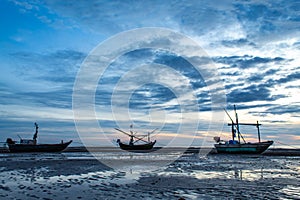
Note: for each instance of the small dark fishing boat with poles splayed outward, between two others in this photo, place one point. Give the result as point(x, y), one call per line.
point(134, 138)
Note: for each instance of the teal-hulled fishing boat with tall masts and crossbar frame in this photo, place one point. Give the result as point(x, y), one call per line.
point(237, 146)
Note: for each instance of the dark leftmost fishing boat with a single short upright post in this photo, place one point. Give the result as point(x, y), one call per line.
point(28, 145)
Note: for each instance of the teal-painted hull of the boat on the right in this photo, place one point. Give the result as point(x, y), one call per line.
point(247, 148)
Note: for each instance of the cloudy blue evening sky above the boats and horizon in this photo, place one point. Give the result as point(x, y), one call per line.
point(252, 49)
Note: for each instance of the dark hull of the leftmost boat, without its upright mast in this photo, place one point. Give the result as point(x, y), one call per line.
point(22, 148)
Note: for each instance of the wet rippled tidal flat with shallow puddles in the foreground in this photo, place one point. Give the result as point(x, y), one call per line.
point(79, 175)
